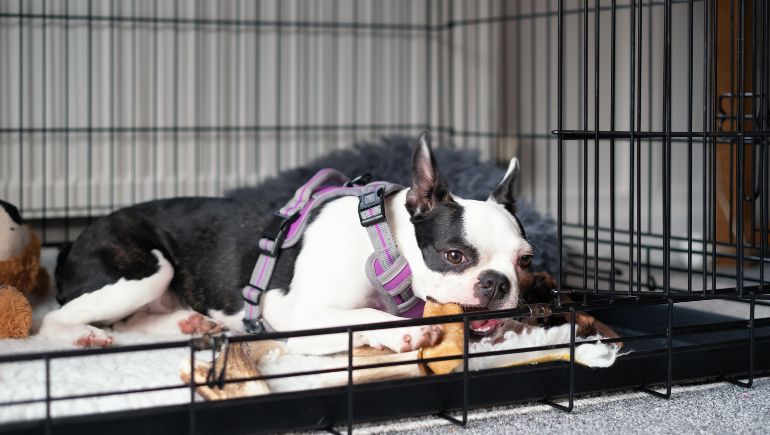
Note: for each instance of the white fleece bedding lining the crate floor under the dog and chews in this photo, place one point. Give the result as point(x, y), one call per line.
point(126, 371)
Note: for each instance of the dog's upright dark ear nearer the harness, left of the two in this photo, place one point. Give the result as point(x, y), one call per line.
point(428, 187)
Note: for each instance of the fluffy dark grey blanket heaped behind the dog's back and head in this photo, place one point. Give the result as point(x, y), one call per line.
point(389, 159)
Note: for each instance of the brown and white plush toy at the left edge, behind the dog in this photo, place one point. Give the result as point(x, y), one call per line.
point(20, 273)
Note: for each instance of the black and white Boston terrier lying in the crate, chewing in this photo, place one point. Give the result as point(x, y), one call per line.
point(166, 264)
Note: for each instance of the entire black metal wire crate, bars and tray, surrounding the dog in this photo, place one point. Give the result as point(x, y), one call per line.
point(644, 126)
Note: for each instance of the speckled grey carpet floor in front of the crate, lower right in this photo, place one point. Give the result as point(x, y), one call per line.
point(719, 408)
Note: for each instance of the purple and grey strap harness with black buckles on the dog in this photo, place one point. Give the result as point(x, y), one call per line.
point(386, 268)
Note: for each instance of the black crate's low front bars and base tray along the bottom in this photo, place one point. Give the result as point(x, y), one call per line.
point(671, 352)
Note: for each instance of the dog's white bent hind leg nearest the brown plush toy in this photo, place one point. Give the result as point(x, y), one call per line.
point(107, 305)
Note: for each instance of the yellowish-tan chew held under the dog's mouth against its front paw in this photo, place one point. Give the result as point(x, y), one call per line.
point(451, 344)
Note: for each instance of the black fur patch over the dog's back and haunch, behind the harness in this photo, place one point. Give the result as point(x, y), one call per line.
point(210, 242)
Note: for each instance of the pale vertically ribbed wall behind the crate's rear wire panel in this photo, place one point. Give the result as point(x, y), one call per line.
point(75, 74)
